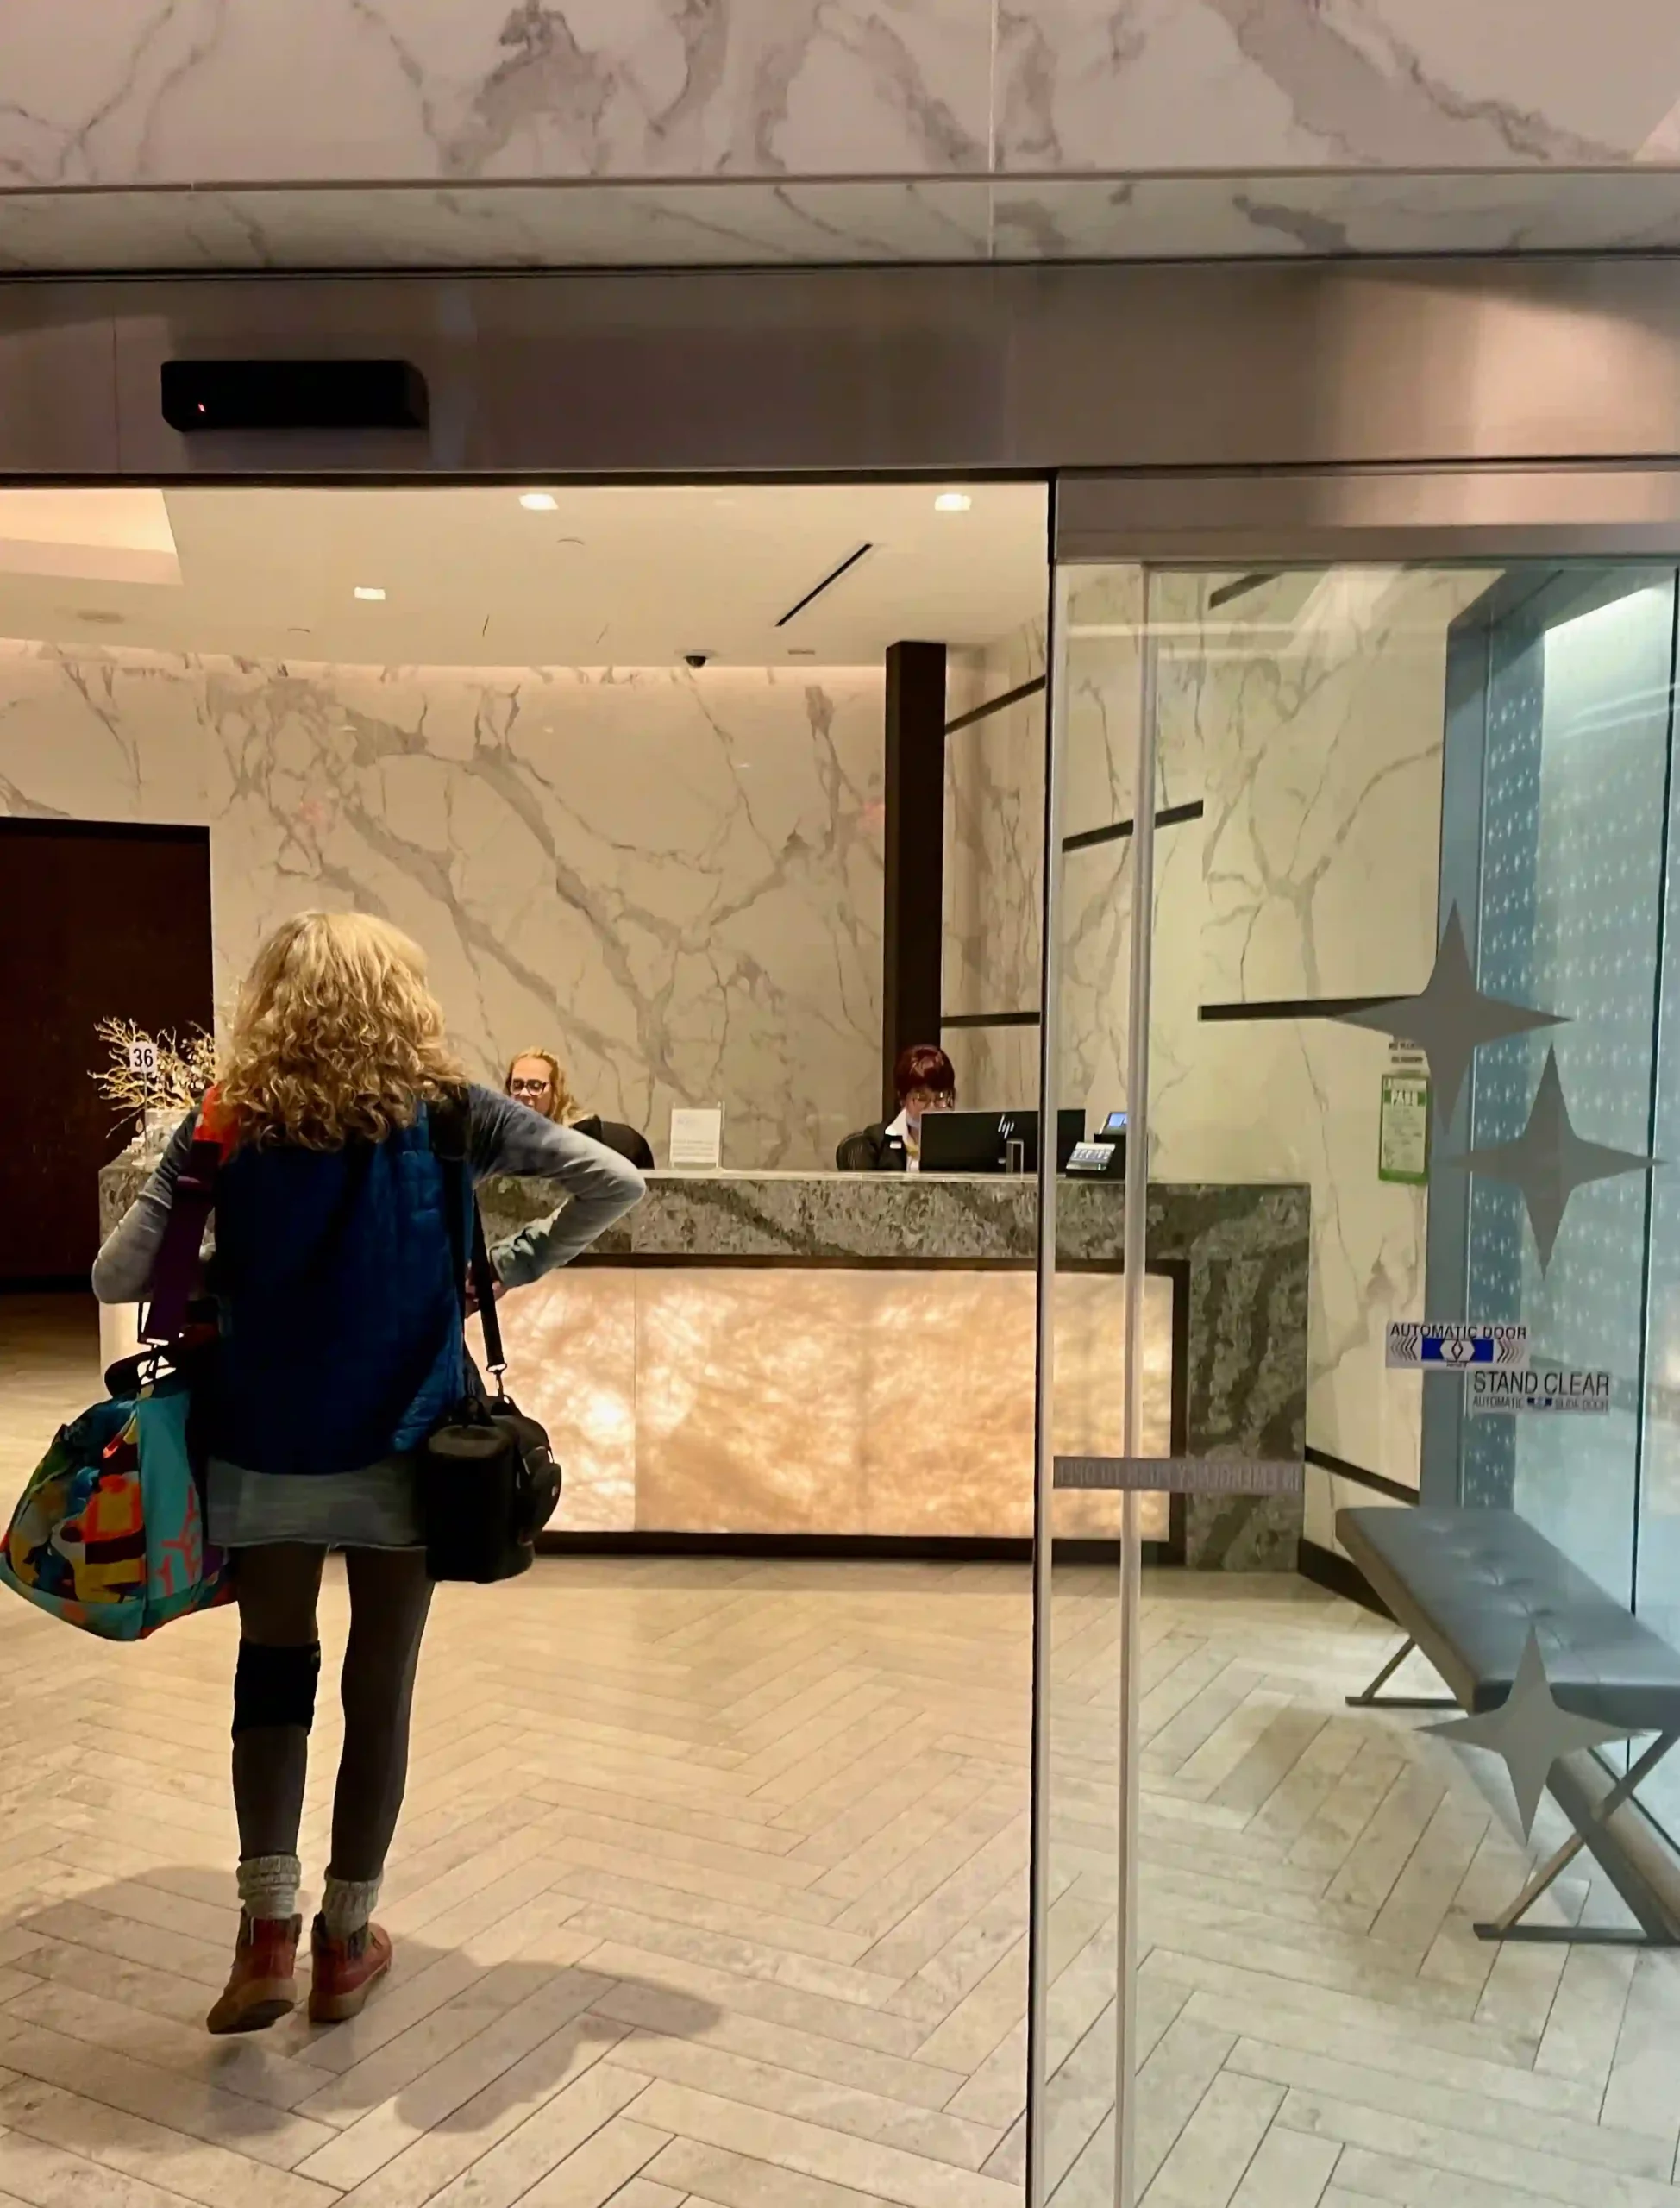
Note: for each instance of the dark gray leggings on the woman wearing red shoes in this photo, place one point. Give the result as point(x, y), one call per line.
point(277, 1591)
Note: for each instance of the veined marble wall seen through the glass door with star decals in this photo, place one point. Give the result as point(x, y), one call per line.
point(1321, 734)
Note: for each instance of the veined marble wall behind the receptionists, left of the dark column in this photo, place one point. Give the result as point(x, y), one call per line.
point(672, 878)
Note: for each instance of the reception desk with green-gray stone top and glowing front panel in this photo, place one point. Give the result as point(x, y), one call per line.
point(851, 1357)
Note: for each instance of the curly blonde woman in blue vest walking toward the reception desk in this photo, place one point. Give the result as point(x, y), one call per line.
point(339, 1352)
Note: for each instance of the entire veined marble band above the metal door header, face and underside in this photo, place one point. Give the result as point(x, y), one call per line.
point(1178, 112)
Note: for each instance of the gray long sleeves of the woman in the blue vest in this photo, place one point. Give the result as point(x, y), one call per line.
point(502, 1138)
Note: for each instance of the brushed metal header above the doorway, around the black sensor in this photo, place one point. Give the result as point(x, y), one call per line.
point(866, 370)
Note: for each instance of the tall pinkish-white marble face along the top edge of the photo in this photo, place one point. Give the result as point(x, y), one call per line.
point(343, 92)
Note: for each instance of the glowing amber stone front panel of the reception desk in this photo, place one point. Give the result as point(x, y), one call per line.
point(829, 1399)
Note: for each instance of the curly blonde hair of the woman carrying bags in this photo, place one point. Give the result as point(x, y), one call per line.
point(337, 1034)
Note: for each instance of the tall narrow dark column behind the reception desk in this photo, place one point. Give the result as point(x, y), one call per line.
point(913, 922)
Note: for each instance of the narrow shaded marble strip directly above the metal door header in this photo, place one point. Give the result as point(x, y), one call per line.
point(743, 222)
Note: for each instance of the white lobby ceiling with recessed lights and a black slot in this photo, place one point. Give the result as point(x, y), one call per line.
point(632, 577)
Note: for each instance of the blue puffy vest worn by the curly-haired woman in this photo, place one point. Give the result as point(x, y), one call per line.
point(341, 1317)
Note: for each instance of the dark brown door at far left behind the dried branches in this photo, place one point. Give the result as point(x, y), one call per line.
point(96, 922)
